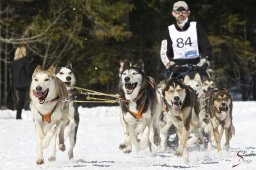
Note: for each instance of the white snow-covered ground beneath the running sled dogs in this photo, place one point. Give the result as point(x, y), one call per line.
point(100, 133)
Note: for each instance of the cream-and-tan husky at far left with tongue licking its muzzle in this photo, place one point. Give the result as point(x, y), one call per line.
point(49, 112)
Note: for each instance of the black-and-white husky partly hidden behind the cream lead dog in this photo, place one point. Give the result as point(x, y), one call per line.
point(66, 75)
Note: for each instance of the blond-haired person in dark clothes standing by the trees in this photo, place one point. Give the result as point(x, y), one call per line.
point(22, 73)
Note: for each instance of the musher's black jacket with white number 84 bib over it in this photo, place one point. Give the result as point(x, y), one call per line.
point(186, 45)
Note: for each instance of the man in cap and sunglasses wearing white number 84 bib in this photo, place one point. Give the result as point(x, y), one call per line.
point(185, 42)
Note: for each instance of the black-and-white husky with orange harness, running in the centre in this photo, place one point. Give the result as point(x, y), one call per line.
point(140, 107)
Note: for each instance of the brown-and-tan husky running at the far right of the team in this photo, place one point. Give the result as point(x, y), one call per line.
point(219, 106)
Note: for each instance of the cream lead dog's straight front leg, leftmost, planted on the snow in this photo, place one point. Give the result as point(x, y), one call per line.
point(40, 135)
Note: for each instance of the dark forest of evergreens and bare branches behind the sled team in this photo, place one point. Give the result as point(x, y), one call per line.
point(94, 35)
